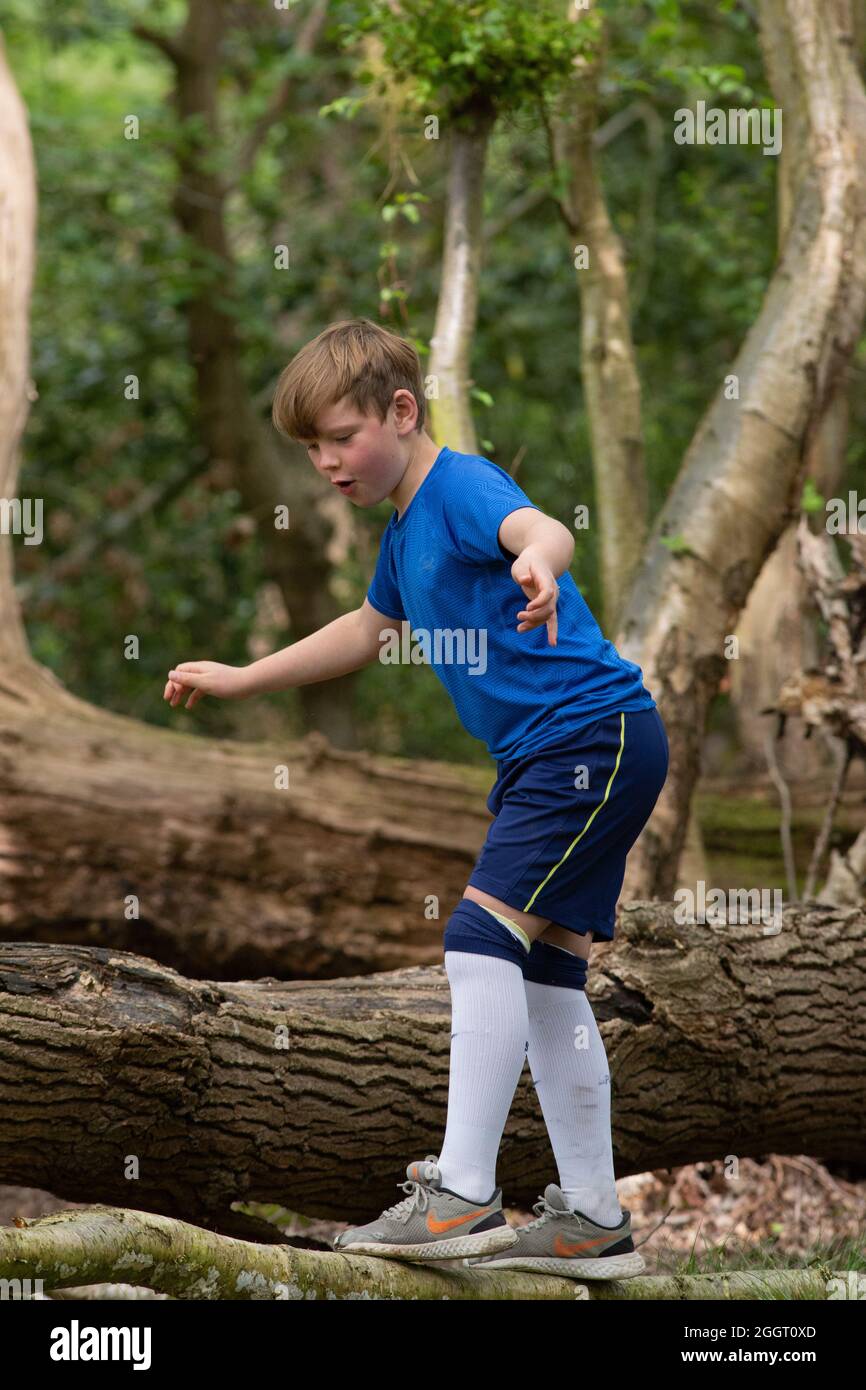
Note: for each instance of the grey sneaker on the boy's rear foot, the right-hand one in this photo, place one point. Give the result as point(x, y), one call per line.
point(565, 1242)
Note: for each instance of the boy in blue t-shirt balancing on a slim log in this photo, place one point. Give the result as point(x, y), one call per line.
point(582, 758)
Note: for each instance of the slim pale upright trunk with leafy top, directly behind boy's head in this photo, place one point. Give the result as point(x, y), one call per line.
point(455, 326)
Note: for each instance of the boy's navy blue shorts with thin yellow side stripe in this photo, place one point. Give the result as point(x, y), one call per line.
point(566, 818)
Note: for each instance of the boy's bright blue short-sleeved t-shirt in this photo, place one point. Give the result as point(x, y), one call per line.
point(444, 575)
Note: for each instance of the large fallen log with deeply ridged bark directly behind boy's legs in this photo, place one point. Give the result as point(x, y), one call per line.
point(120, 1077)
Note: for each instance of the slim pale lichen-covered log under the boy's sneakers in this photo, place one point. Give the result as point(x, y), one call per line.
point(73, 1249)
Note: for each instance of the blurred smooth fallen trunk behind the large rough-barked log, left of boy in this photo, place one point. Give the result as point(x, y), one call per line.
point(183, 849)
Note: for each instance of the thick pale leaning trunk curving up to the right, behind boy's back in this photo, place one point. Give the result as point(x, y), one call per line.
point(743, 475)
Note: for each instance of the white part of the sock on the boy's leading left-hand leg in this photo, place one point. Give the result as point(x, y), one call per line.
point(489, 1042)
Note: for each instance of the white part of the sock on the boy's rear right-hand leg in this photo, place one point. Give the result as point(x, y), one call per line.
point(569, 1068)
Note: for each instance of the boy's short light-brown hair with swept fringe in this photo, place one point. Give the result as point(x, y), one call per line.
point(354, 358)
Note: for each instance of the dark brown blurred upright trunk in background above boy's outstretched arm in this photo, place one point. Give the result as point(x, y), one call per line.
point(266, 475)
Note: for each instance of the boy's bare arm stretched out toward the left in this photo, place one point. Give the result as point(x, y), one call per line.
point(344, 646)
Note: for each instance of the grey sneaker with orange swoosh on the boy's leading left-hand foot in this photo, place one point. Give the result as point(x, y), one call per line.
point(432, 1223)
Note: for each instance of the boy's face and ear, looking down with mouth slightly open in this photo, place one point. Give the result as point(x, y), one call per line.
point(365, 454)
